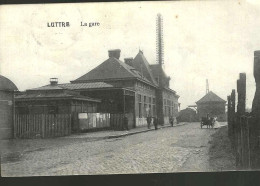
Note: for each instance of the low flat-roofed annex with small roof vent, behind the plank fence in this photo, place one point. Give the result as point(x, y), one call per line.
point(55, 99)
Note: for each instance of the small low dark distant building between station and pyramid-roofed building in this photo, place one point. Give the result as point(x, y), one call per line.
point(188, 115)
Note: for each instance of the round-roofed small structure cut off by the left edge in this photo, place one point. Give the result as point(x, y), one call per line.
point(7, 89)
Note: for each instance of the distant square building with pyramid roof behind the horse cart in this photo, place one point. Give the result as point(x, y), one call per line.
point(213, 105)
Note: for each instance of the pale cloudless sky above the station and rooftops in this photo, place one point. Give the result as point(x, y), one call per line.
point(212, 40)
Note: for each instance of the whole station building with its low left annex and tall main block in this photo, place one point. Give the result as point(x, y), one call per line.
point(133, 87)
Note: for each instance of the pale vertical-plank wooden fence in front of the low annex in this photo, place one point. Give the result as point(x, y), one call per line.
point(42, 125)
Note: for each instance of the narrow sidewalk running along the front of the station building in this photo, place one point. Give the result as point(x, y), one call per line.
point(116, 134)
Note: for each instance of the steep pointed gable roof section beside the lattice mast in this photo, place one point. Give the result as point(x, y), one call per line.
point(141, 64)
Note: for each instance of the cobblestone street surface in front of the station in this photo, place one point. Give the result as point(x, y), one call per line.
point(182, 148)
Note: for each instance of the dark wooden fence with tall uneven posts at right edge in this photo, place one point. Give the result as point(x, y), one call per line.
point(244, 128)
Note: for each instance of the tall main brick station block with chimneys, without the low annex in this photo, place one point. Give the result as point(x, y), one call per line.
point(137, 88)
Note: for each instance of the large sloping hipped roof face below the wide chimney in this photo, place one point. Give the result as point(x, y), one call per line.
point(112, 68)
